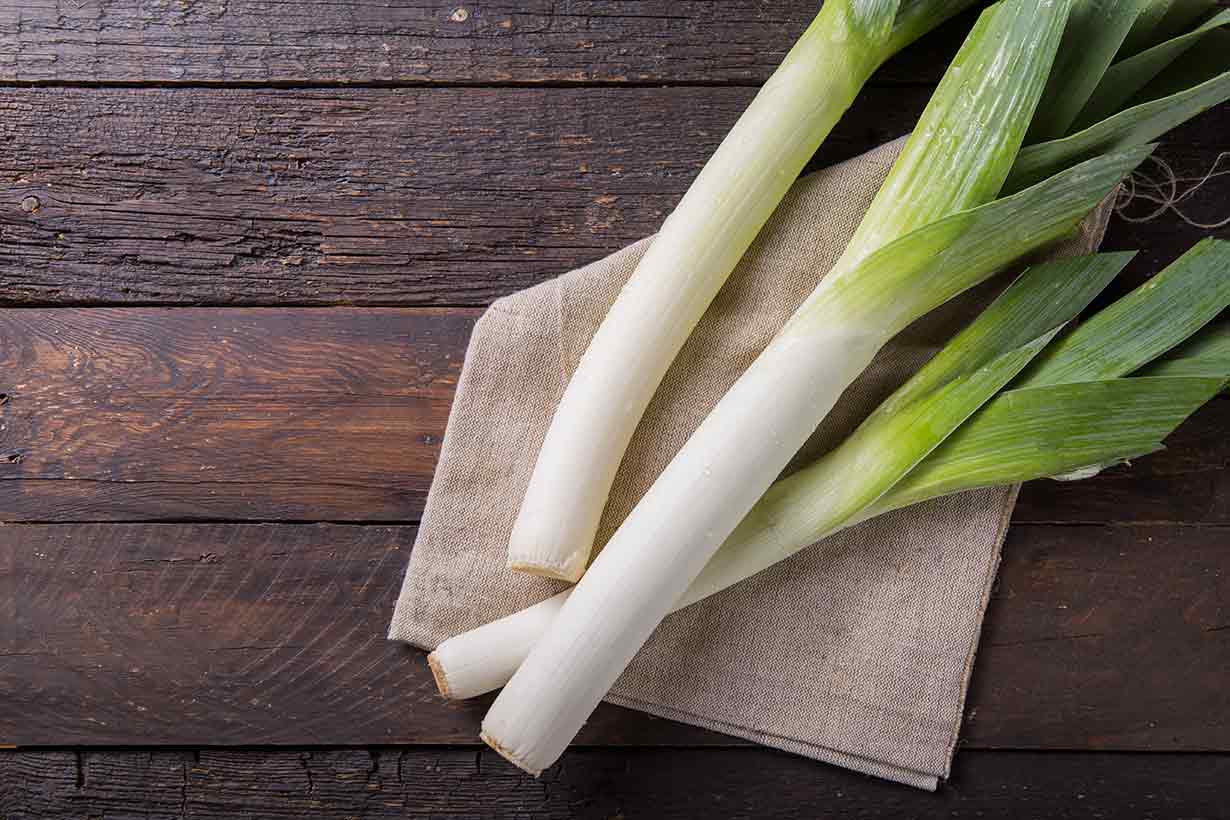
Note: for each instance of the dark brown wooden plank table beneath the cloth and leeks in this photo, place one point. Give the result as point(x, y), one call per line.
point(242, 249)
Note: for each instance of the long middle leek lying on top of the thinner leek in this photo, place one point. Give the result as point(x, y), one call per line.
point(956, 159)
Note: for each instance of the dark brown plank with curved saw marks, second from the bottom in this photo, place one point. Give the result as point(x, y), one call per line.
point(1104, 637)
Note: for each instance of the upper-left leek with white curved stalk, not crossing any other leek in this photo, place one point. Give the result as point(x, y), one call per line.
point(688, 262)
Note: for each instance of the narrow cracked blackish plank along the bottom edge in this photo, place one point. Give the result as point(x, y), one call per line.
point(595, 785)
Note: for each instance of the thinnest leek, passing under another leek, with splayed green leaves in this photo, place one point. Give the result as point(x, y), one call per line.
point(1072, 412)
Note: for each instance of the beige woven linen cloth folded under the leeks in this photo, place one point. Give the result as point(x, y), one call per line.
point(855, 652)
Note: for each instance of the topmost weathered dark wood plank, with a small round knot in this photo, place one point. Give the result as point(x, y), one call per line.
point(468, 41)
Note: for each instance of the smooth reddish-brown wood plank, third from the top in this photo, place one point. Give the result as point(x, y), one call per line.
point(148, 415)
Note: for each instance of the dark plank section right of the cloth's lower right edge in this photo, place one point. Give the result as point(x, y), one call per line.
point(1106, 637)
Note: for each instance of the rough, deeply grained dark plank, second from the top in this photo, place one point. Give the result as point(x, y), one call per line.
point(382, 196)
